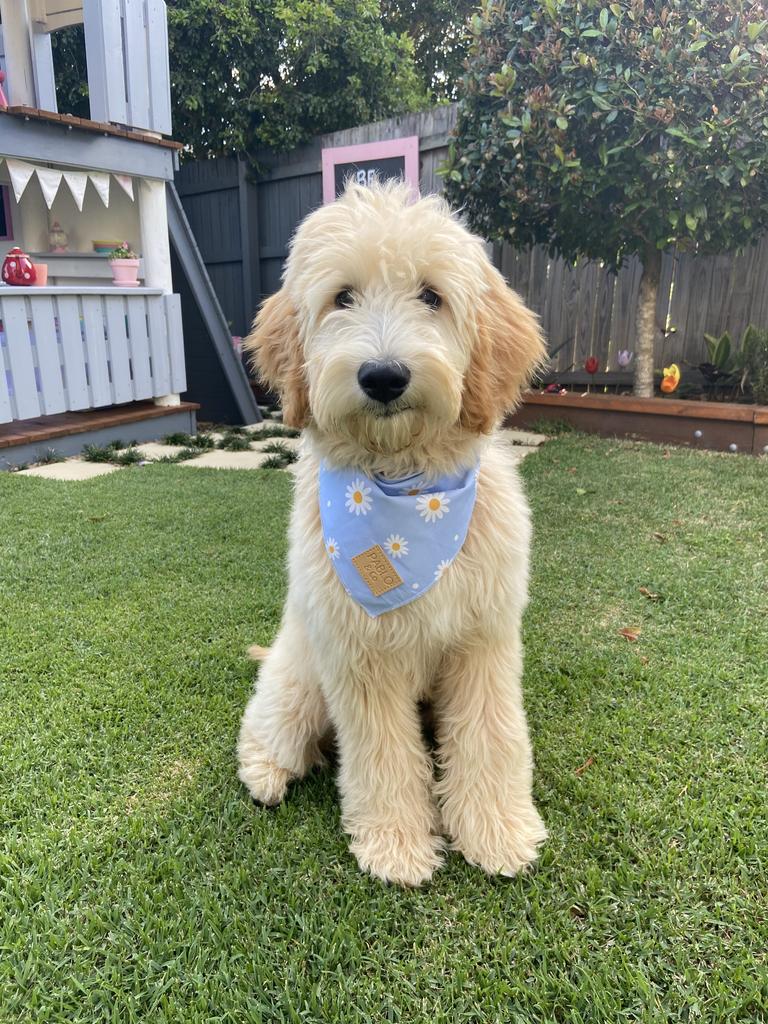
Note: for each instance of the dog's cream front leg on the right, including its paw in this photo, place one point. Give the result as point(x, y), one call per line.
point(485, 755)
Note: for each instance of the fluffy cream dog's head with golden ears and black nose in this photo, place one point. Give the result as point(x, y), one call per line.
point(393, 329)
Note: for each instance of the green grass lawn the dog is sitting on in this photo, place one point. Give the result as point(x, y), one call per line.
point(140, 883)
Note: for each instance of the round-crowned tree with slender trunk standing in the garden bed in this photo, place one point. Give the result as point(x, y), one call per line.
point(606, 130)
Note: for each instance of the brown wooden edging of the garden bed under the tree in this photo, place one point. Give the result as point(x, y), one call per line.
point(668, 421)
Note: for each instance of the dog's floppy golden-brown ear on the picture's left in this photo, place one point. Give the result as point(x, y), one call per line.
point(277, 355)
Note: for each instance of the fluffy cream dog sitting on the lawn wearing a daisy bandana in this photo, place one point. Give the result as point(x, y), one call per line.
point(398, 348)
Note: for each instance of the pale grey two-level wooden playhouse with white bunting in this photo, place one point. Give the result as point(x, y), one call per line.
point(82, 358)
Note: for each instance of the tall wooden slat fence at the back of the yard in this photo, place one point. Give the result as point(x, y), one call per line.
point(243, 224)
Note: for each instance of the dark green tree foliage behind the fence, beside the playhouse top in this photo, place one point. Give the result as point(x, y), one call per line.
point(252, 73)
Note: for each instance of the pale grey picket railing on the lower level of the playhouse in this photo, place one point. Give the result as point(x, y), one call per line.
point(69, 349)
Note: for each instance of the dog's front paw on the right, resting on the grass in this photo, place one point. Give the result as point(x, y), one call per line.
point(499, 843)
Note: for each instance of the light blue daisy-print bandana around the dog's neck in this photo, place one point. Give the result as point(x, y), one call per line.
point(391, 541)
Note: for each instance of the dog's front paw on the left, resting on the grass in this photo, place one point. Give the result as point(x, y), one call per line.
point(406, 859)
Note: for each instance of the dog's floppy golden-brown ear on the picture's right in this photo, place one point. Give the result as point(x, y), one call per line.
point(508, 348)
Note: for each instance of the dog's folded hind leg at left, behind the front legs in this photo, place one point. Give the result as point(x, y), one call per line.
point(284, 721)
